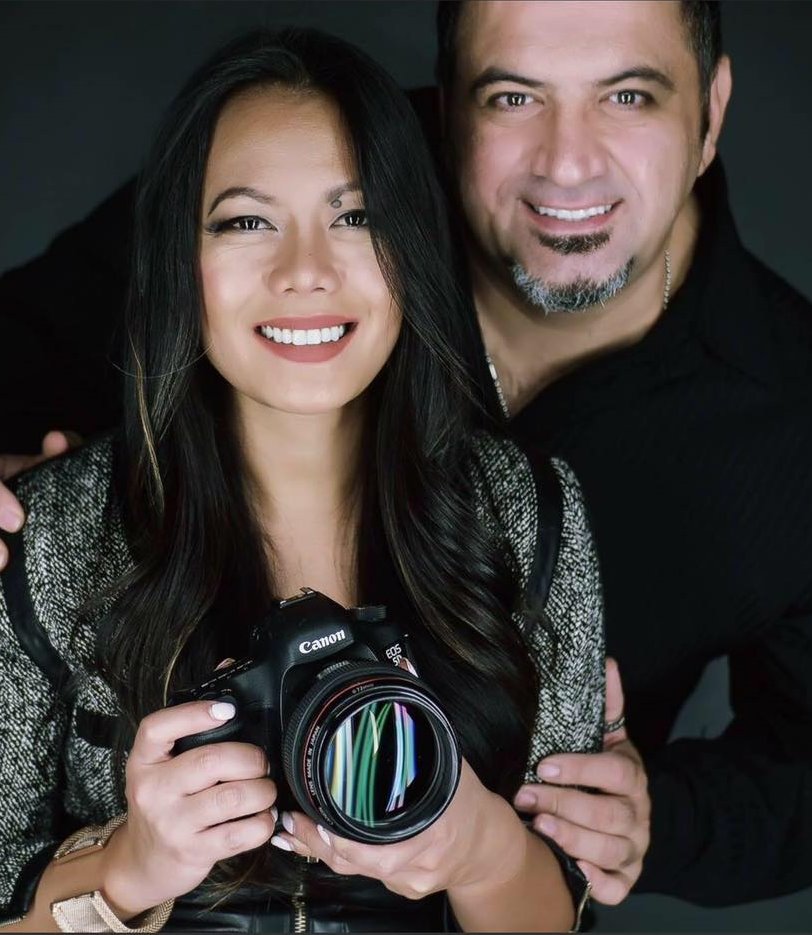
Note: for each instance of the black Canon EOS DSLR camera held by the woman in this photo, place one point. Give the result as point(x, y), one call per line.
point(354, 738)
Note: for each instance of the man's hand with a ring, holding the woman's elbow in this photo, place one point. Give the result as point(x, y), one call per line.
point(607, 830)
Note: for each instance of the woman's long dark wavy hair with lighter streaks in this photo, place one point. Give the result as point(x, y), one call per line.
point(201, 575)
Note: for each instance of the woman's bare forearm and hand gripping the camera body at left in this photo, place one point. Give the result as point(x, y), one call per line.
point(186, 813)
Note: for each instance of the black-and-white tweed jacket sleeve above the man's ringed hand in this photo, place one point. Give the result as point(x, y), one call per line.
point(538, 503)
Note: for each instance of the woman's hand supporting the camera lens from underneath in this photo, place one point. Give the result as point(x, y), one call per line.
point(478, 840)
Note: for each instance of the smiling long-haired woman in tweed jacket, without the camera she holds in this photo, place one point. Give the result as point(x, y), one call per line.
point(298, 415)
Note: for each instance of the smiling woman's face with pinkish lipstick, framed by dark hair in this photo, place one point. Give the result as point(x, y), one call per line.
point(297, 315)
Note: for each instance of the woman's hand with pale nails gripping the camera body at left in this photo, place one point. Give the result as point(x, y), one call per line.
point(185, 812)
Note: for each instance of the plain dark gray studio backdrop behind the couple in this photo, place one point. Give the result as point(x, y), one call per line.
point(81, 88)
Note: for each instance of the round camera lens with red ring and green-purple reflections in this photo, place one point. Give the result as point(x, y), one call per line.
point(370, 752)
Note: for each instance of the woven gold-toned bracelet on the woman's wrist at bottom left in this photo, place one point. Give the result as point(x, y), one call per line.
point(90, 912)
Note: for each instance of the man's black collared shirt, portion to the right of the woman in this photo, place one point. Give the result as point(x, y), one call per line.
point(694, 449)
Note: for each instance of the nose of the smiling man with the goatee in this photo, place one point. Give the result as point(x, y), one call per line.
point(569, 150)
